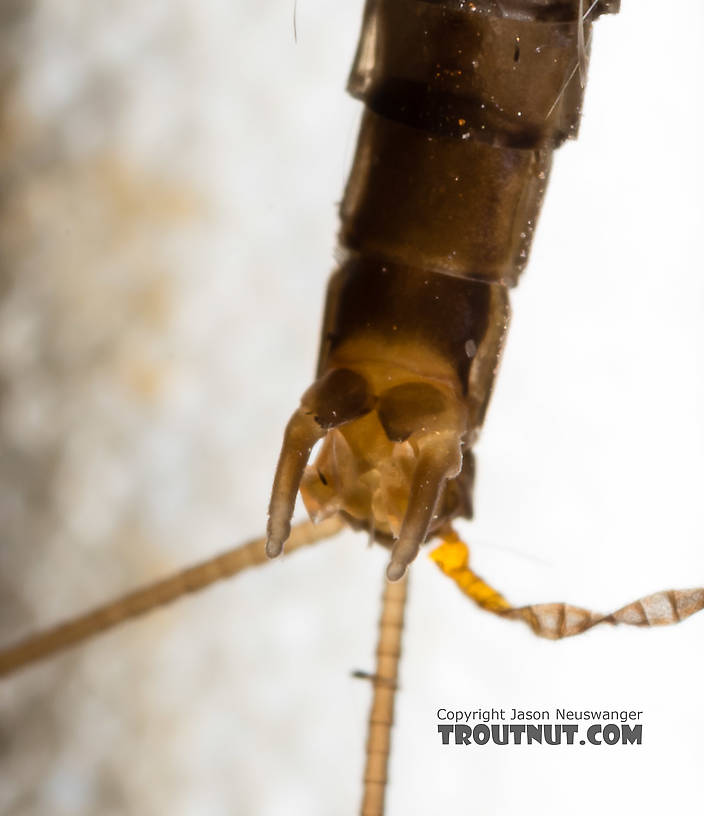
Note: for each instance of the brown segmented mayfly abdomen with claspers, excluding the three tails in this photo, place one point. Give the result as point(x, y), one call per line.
point(465, 103)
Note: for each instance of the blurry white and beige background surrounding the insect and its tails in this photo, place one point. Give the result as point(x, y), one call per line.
point(168, 179)
